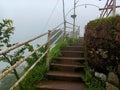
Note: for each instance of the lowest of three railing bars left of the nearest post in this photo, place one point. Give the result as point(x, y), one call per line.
point(27, 72)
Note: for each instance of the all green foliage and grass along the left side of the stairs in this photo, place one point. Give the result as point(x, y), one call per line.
point(39, 71)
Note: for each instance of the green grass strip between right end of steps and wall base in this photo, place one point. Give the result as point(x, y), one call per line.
point(92, 83)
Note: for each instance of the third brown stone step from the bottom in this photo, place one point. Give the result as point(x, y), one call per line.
point(67, 67)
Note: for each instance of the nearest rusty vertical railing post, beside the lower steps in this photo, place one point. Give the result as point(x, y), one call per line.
point(48, 53)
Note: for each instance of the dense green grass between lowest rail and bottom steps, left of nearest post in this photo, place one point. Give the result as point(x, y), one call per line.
point(35, 76)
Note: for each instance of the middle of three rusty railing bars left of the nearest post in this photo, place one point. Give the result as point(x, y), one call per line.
point(6, 72)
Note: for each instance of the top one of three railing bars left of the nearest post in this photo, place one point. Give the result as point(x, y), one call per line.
point(21, 44)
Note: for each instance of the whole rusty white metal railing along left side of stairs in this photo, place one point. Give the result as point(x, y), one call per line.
point(51, 41)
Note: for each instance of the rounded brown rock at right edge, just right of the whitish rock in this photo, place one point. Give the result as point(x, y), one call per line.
point(112, 77)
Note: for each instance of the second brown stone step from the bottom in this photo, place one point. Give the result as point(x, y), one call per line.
point(65, 75)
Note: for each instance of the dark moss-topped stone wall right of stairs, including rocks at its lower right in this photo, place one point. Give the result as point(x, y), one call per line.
point(102, 40)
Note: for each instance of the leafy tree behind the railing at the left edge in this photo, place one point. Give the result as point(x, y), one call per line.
point(6, 30)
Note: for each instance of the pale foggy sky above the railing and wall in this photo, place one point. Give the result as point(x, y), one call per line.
point(31, 17)
